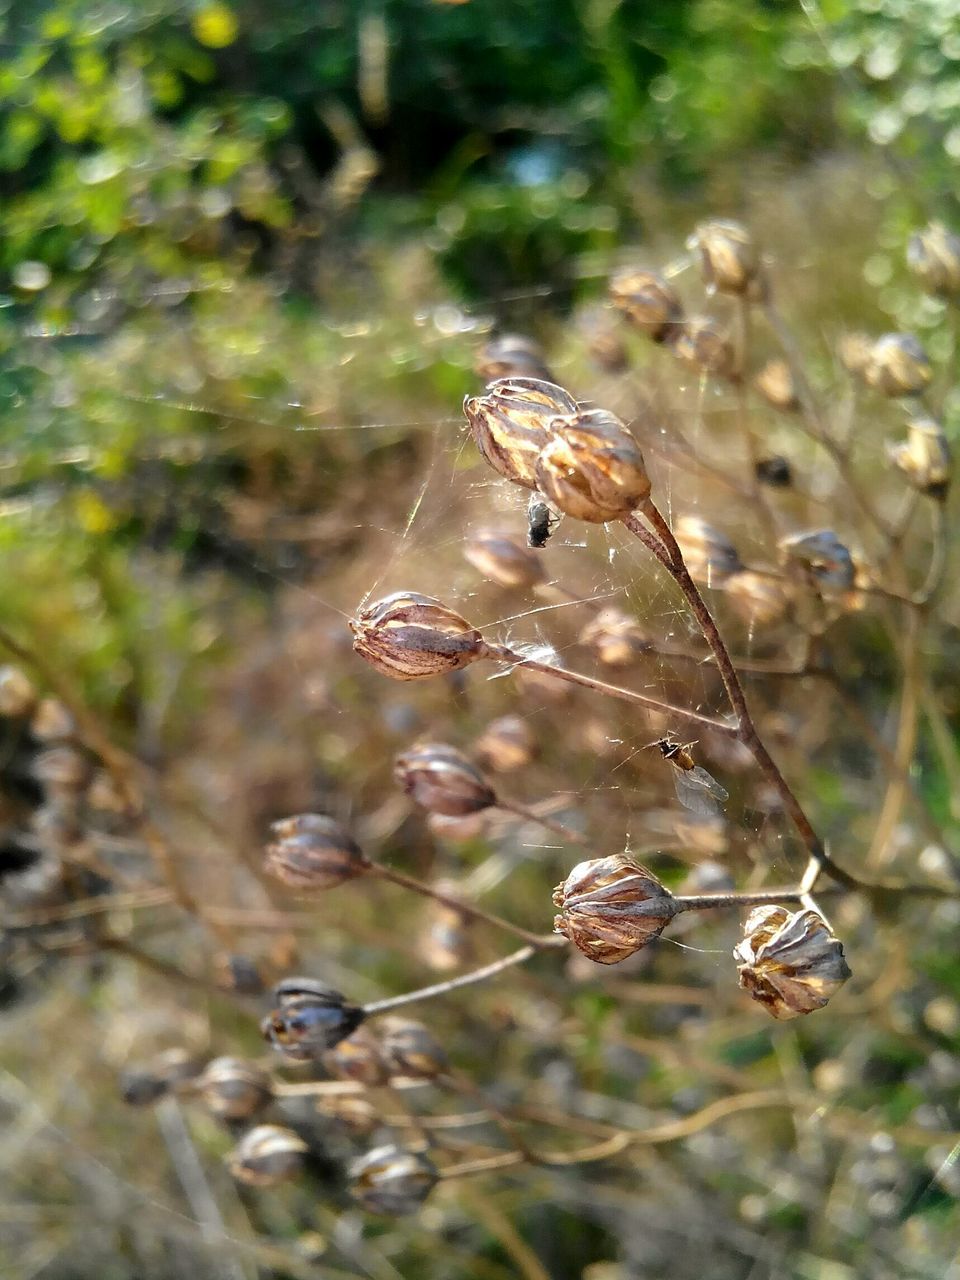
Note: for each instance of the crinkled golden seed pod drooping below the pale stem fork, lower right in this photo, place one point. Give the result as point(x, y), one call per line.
point(790, 962)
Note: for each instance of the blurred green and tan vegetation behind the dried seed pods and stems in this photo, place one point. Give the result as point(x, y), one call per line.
point(249, 258)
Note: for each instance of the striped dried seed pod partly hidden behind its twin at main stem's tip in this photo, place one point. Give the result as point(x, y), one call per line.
point(511, 424)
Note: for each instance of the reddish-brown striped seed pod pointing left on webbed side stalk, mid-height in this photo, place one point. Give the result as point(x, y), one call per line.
point(413, 637)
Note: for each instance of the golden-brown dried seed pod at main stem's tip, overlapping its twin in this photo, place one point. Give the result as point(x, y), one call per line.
point(593, 468)
